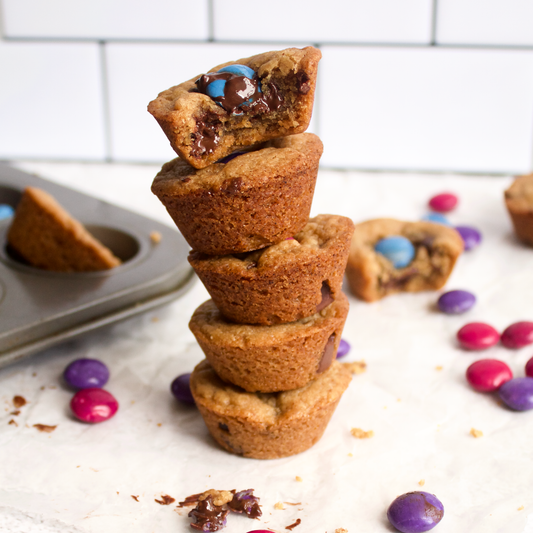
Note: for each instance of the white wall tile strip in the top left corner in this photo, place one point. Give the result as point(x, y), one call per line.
point(106, 19)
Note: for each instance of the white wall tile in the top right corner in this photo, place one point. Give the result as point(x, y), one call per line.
point(492, 22)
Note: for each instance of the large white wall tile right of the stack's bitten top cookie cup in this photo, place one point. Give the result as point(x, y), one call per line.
point(438, 109)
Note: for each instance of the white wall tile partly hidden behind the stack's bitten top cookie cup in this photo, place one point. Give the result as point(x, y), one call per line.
point(137, 73)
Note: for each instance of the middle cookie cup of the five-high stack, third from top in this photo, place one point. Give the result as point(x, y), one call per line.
point(281, 283)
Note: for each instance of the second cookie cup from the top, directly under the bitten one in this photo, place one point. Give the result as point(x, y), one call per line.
point(252, 201)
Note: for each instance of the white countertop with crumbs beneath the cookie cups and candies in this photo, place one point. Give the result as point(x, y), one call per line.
point(81, 478)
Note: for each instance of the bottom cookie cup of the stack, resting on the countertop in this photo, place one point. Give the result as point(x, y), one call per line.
point(267, 426)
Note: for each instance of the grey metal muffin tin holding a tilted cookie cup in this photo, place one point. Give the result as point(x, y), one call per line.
point(39, 309)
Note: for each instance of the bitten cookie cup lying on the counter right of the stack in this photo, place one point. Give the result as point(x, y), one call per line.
point(372, 276)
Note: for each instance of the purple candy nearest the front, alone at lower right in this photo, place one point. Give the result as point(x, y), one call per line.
point(415, 512)
